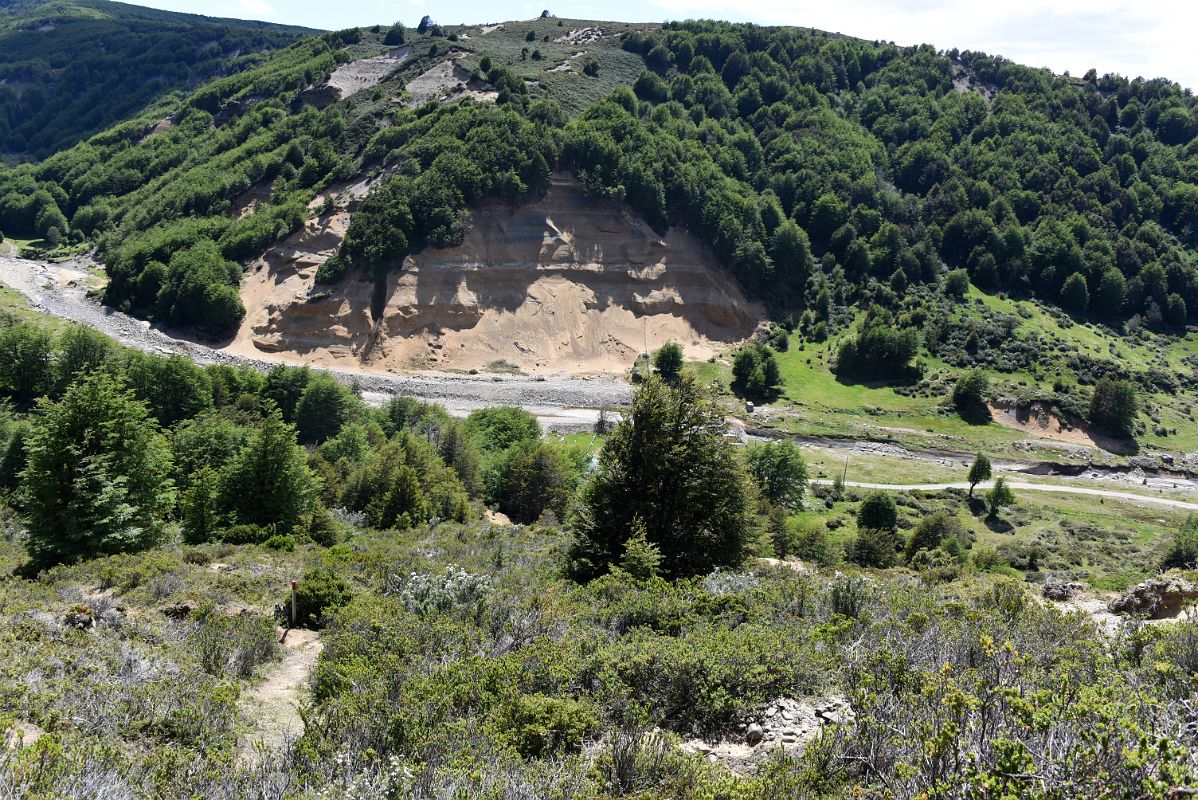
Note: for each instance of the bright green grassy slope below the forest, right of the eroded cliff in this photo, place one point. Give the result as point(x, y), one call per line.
point(814, 402)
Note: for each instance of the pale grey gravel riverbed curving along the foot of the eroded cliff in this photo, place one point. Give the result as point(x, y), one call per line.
point(562, 403)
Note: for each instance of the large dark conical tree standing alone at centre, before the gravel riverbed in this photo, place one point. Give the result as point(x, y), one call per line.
point(669, 469)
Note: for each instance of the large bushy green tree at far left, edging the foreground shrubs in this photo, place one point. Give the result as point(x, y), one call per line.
point(99, 476)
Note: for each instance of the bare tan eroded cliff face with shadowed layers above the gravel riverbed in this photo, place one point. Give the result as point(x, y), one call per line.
point(562, 284)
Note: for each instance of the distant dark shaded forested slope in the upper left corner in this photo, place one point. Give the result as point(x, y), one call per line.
point(70, 69)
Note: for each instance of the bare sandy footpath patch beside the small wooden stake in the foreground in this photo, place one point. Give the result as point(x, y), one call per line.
point(271, 710)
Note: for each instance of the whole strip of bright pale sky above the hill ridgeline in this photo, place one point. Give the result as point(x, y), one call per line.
point(1151, 38)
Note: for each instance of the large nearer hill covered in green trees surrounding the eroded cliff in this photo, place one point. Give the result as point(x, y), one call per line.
point(825, 172)
